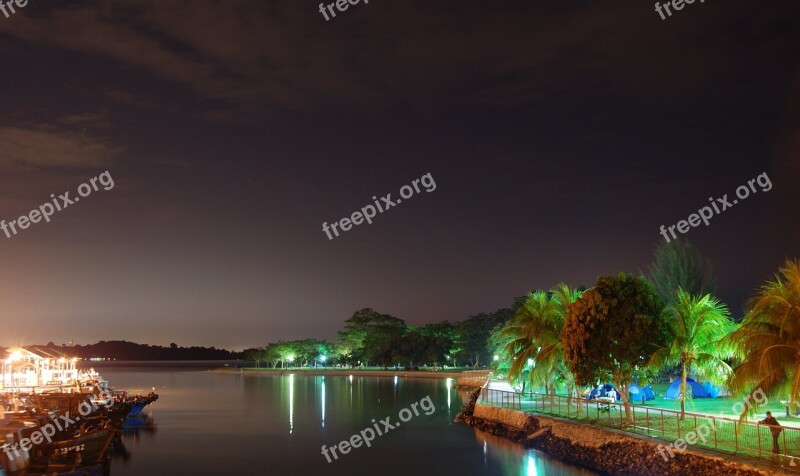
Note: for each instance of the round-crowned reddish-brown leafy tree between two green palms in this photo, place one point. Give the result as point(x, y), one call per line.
point(612, 330)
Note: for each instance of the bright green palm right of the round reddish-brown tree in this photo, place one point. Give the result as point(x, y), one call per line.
point(697, 325)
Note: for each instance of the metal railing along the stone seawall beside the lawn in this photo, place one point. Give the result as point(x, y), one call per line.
point(717, 432)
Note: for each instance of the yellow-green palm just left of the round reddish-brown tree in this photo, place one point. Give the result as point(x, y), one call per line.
point(536, 330)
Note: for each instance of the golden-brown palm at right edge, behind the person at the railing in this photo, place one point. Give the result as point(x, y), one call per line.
point(769, 339)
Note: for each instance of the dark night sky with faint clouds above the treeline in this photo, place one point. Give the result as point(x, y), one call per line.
point(561, 135)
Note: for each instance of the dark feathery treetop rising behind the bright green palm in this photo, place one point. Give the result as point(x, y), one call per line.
point(679, 266)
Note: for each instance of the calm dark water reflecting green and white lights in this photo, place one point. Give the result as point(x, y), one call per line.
point(218, 424)
